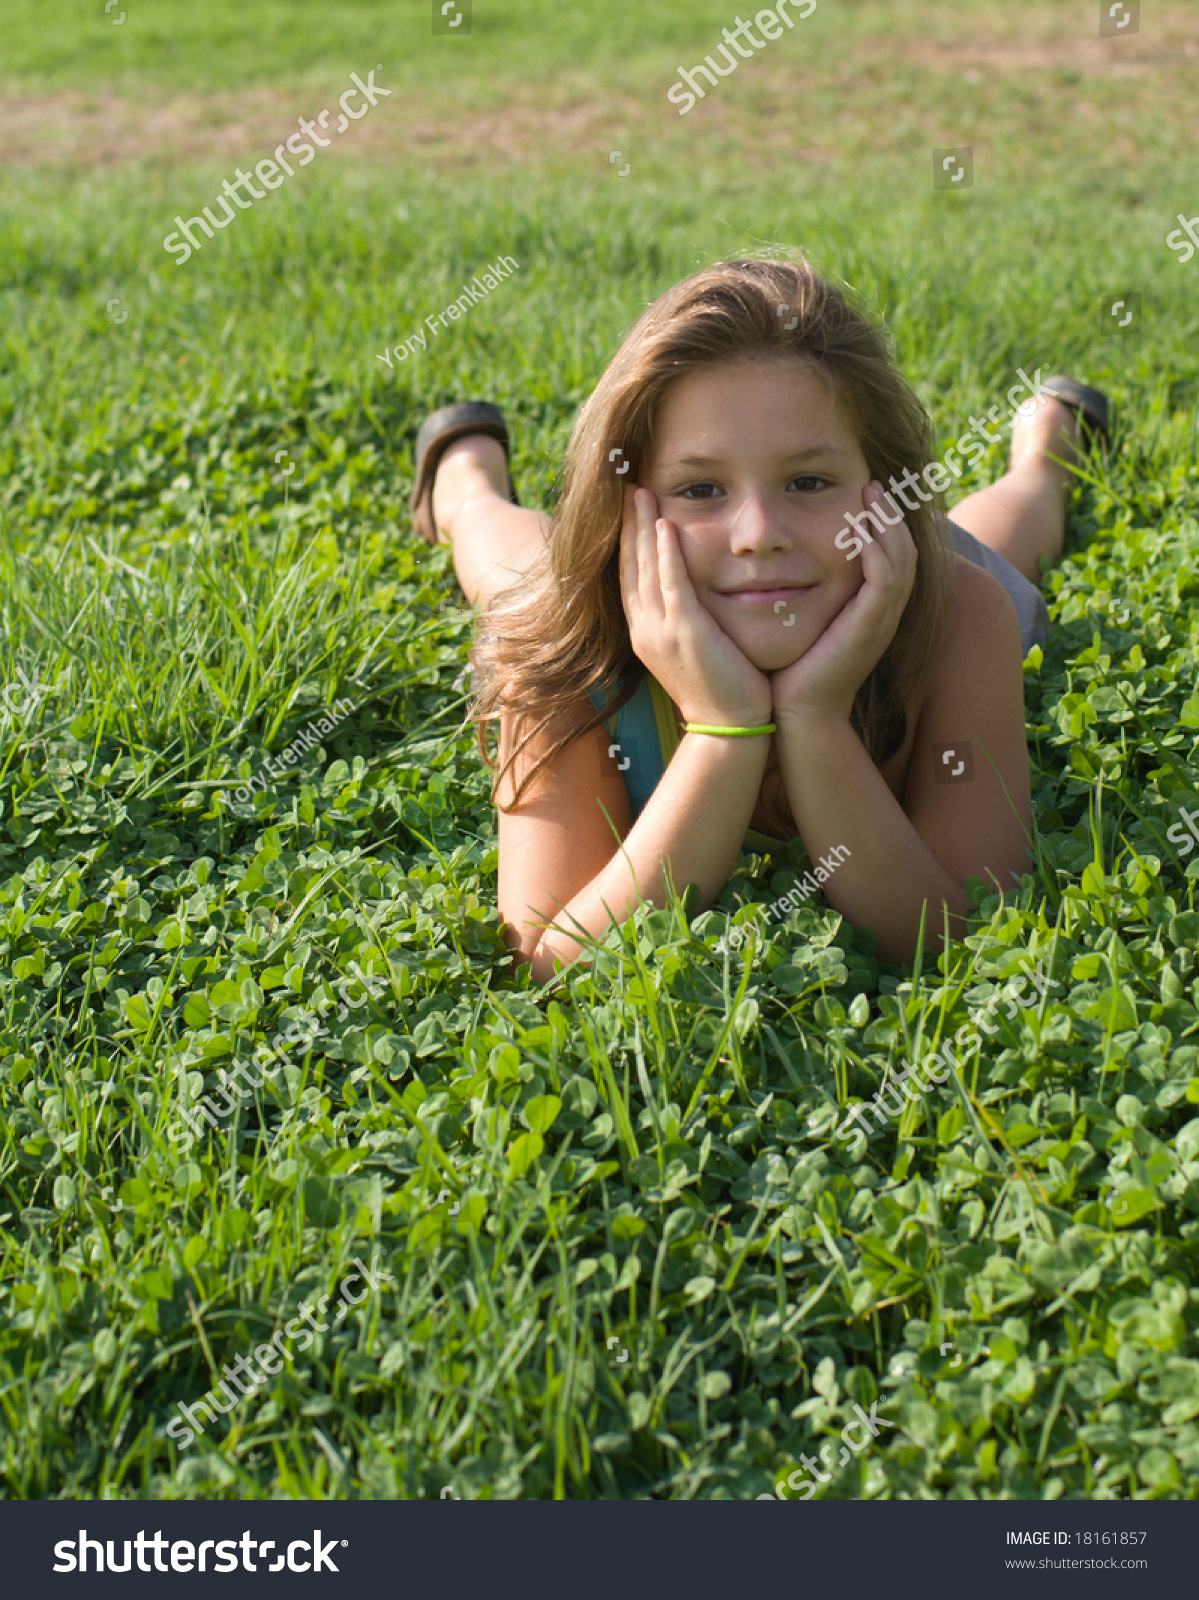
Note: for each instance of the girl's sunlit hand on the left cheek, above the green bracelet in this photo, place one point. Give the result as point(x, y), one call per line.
point(683, 644)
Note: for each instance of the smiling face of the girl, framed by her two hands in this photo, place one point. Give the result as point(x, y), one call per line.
point(756, 470)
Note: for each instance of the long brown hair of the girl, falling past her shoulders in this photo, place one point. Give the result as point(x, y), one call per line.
point(561, 630)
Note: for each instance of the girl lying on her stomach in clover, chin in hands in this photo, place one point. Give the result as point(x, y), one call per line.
point(692, 654)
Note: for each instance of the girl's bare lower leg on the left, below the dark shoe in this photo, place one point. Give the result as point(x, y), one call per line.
point(494, 542)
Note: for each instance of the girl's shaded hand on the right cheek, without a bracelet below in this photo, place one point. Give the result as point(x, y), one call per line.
point(827, 678)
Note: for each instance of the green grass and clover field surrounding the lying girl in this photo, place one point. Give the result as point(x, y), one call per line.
point(620, 1250)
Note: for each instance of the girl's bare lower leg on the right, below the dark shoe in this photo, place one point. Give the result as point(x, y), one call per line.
point(1024, 516)
